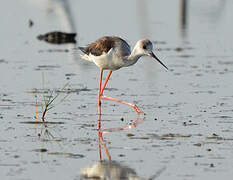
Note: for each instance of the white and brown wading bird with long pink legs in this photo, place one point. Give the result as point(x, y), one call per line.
point(112, 53)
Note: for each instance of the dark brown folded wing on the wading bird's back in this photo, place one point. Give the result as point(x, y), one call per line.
point(103, 44)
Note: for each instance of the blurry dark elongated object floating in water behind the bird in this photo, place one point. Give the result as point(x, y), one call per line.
point(57, 37)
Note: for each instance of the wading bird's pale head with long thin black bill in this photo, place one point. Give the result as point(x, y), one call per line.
point(145, 48)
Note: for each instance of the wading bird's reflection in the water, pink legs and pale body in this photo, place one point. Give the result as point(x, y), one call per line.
point(108, 169)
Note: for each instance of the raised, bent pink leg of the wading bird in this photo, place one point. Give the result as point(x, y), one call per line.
point(101, 96)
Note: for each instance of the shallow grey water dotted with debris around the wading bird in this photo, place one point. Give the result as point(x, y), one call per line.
point(187, 130)
